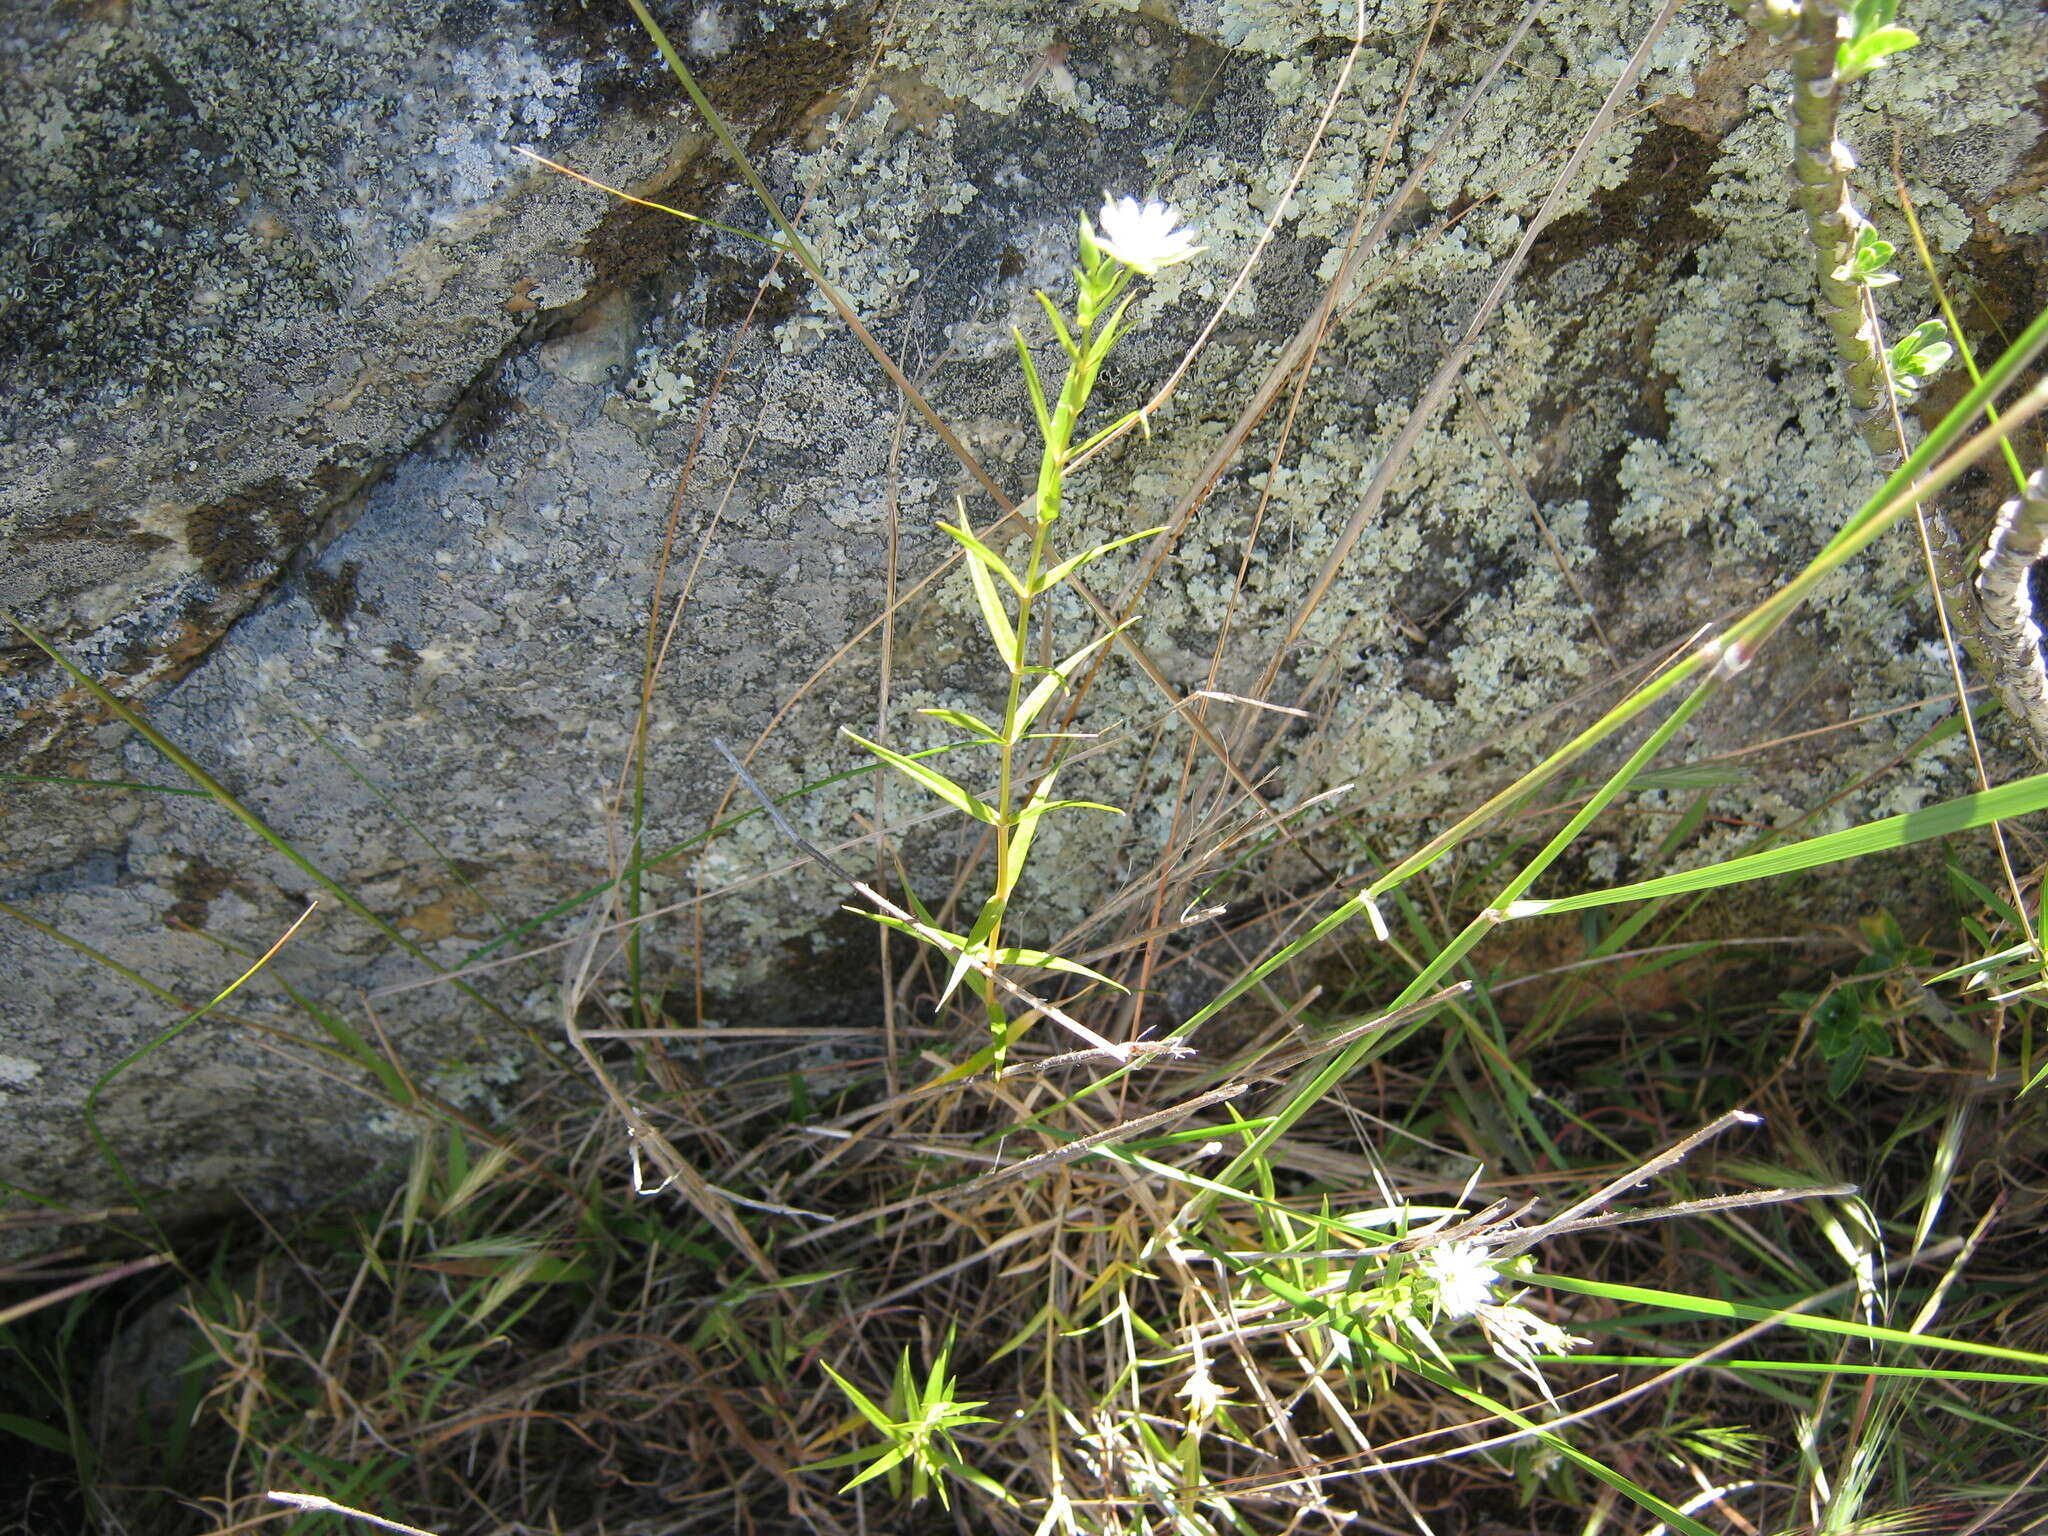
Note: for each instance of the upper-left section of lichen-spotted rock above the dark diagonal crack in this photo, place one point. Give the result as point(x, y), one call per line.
point(255, 257)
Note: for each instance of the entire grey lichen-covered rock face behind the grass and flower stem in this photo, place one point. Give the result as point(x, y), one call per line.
point(347, 441)
